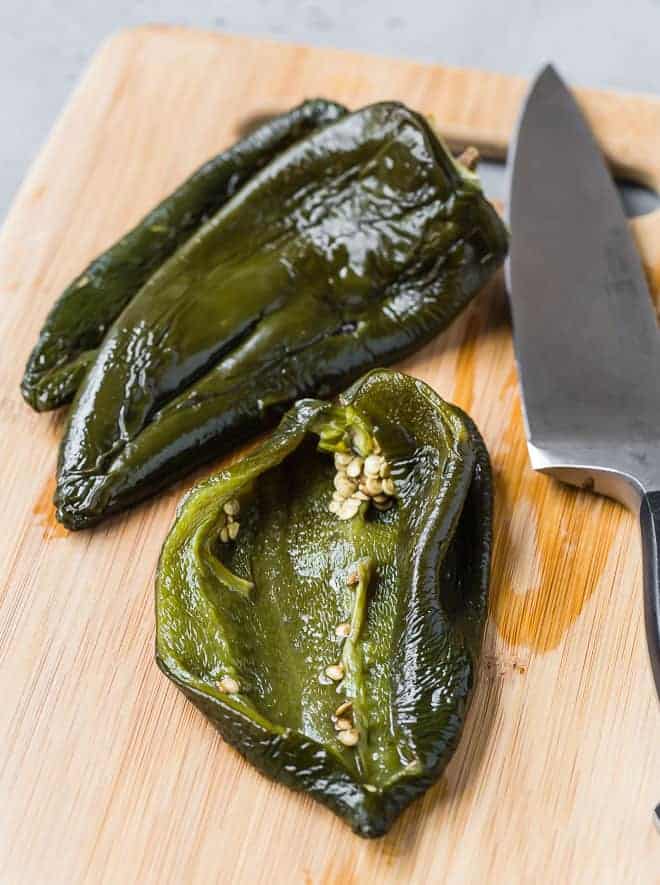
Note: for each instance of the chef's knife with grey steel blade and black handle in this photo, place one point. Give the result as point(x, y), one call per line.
point(586, 337)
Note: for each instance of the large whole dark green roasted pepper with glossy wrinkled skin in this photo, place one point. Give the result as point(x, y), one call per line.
point(349, 250)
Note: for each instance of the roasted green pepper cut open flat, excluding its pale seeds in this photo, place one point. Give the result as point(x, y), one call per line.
point(262, 609)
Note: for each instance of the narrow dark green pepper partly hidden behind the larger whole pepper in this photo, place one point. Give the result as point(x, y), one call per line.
point(78, 322)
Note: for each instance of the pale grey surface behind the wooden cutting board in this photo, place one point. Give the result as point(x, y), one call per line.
point(45, 45)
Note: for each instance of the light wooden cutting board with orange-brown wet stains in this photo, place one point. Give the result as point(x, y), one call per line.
point(106, 773)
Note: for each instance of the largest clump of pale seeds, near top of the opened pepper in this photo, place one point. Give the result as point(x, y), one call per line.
point(361, 479)
